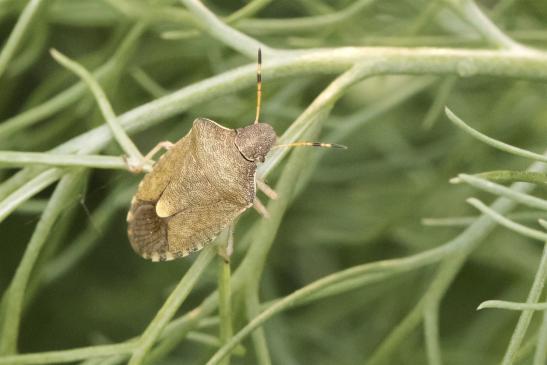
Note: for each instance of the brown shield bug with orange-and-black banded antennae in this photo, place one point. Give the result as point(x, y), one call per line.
point(201, 185)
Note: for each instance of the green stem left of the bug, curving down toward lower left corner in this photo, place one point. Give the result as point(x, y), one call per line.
point(9, 331)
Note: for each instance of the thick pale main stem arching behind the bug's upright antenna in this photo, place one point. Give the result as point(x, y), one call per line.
point(384, 61)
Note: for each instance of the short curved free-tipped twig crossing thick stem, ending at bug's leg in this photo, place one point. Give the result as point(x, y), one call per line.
point(135, 156)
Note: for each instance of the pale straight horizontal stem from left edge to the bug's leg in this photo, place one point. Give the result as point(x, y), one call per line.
point(20, 159)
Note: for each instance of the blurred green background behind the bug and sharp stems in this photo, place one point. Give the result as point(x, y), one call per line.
point(361, 205)
